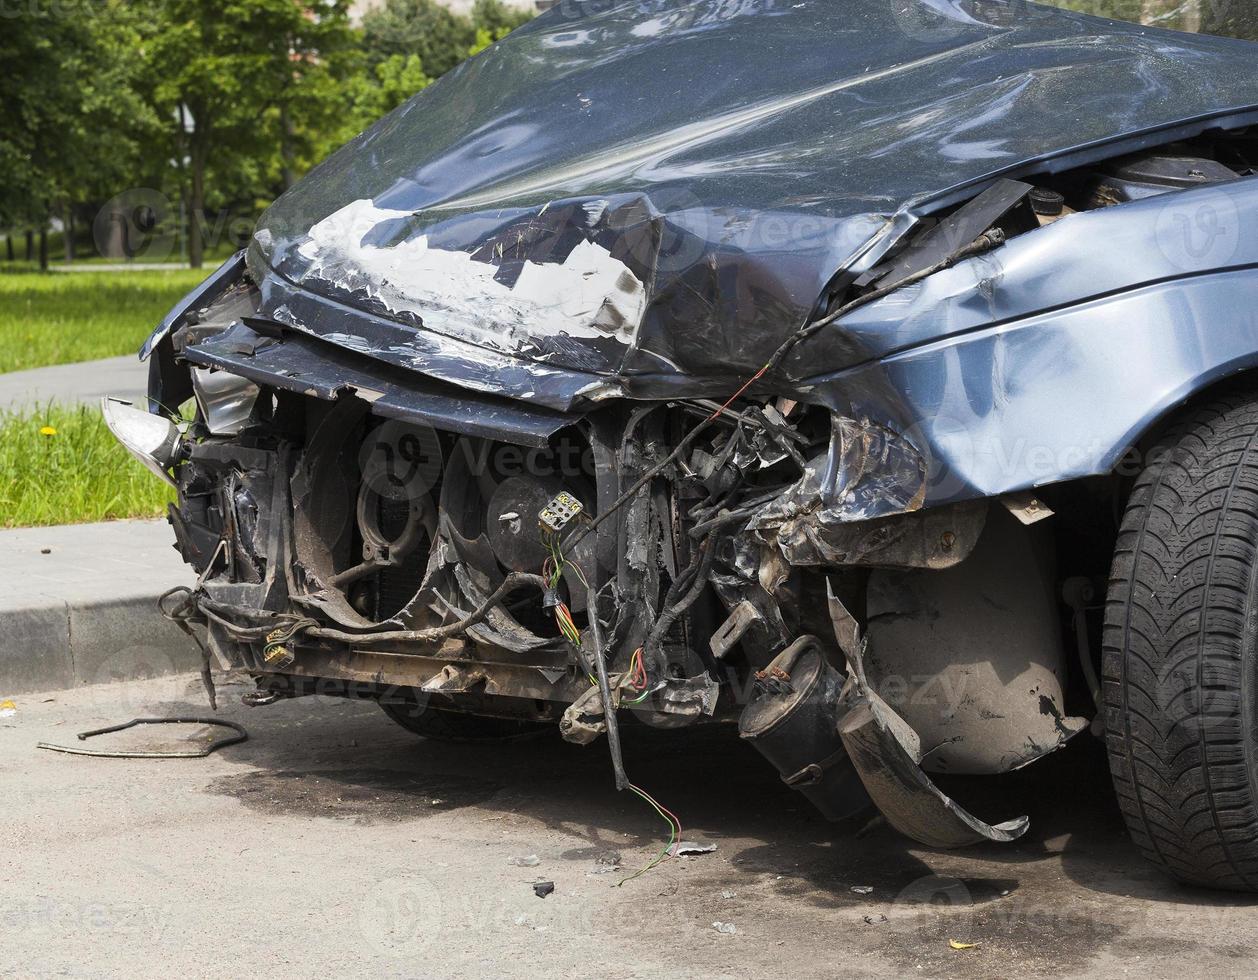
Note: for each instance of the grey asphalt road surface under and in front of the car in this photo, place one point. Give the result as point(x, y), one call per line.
point(334, 842)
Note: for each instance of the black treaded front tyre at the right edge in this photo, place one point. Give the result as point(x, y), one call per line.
point(1181, 664)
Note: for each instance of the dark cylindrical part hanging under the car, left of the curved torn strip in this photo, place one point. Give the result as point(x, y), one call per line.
point(793, 721)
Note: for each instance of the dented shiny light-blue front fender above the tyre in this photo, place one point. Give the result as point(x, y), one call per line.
point(1049, 359)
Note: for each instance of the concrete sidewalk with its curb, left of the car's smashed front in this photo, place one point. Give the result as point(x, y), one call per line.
point(79, 606)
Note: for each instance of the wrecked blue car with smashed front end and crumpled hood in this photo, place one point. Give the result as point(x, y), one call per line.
point(880, 376)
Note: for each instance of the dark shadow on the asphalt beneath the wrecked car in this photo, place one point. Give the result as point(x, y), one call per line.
point(347, 760)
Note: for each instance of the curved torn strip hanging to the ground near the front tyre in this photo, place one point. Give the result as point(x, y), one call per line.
point(886, 753)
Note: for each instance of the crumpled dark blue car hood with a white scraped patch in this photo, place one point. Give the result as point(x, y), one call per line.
point(646, 191)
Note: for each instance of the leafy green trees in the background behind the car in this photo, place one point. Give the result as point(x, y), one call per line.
point(216, 106)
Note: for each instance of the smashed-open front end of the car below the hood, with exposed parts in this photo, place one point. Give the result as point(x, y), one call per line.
point(443, 552)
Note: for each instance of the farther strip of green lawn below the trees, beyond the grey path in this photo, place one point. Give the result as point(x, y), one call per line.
point(80, 316)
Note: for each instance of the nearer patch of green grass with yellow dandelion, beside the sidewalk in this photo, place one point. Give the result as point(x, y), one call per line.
point(75, 474)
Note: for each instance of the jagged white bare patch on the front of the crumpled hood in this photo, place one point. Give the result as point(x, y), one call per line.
point(589, 295)
